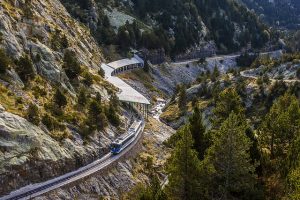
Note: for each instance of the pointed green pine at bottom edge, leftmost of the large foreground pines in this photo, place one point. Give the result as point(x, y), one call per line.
point(182, 168)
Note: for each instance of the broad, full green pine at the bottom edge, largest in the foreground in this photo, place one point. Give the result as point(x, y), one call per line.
point(233, 176)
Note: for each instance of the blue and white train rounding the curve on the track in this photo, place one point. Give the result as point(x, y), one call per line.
point(122, 142)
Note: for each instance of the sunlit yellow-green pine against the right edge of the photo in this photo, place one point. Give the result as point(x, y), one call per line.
point(281, 126)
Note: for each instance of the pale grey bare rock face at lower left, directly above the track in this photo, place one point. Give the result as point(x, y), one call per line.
point(28, 154)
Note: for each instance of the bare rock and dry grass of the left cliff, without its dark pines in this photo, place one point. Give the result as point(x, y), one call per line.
point(43, 31)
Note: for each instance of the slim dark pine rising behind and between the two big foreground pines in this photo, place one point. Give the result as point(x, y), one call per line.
point(197, 129)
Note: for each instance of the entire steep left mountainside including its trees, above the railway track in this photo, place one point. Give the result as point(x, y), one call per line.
point(47, 61)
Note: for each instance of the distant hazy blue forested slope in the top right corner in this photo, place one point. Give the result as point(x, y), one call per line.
point(279, 13)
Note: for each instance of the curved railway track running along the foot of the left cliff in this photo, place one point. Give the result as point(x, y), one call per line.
point(36, 190)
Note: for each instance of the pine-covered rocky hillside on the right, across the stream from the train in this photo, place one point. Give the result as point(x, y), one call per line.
point(244, 143)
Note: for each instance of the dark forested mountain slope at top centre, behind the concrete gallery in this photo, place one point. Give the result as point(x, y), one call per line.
point(174, 25)
